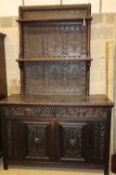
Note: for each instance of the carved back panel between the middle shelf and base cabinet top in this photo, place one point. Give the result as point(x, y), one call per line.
point(51, 78)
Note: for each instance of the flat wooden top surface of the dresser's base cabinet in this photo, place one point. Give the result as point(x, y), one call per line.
point(58, 100)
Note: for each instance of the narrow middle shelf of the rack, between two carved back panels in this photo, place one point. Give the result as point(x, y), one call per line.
point(53, 58)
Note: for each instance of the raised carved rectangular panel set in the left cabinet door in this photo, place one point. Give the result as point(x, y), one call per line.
point(37, 140)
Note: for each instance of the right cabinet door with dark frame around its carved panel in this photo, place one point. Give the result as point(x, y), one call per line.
point(72, 141)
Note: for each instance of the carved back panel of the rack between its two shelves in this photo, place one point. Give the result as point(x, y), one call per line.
point(55, 39)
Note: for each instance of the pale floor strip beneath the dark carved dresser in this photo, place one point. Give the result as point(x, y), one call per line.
point(14, 170)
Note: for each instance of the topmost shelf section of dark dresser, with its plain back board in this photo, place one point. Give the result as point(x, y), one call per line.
point(55, 13)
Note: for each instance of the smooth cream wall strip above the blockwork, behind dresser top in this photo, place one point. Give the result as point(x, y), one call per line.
point(10, 8)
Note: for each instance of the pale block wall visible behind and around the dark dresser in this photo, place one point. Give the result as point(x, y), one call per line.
point(103, 45)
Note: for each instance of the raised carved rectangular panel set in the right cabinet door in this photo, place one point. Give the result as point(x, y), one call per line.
point(71, 138)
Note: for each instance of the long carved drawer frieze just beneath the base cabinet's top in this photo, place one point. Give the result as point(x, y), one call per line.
point(55, 112)
